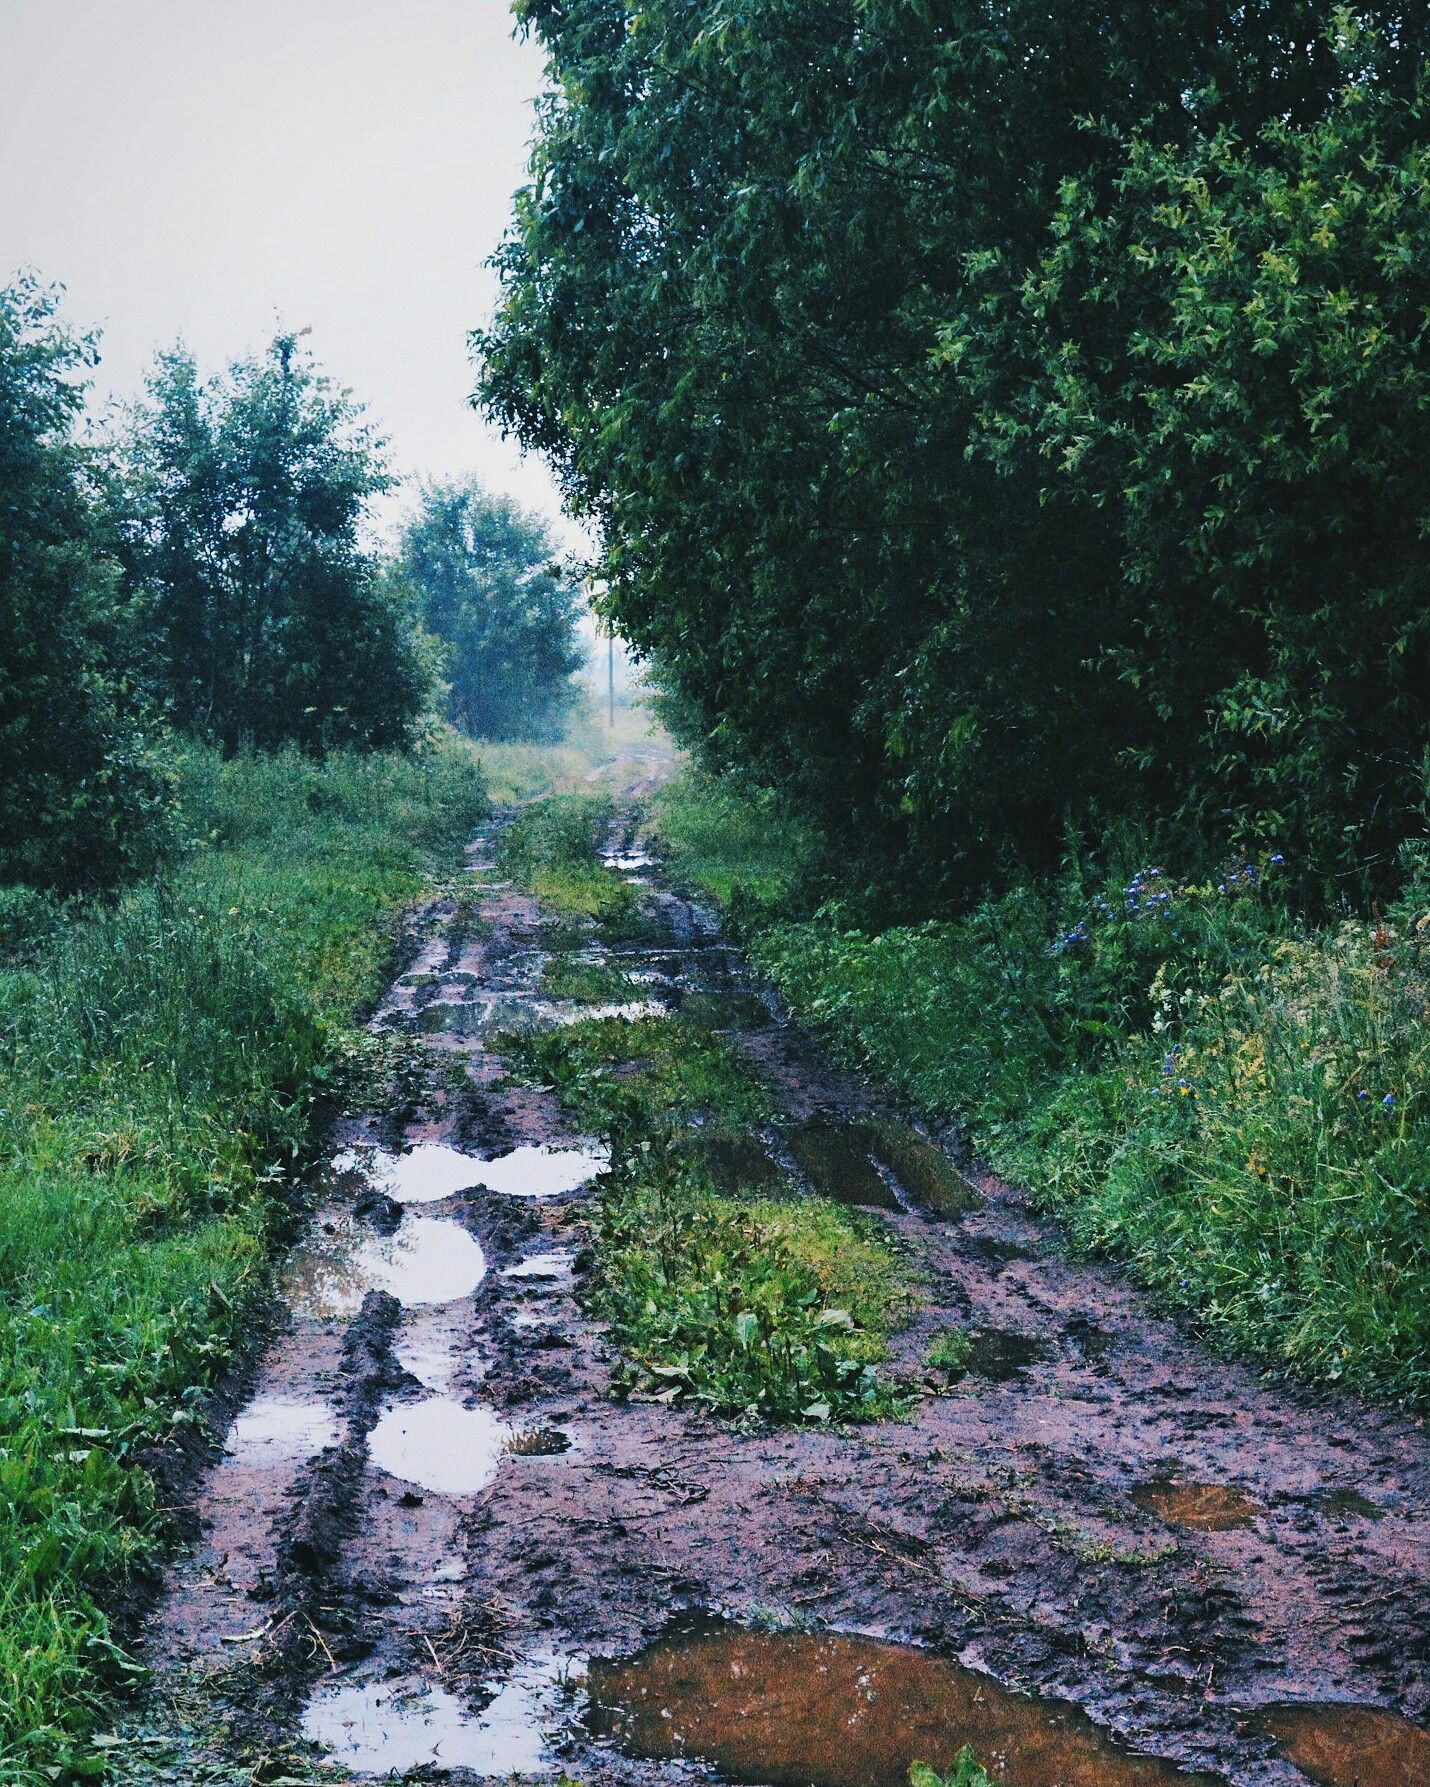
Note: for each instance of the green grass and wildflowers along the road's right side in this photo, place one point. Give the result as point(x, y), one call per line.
point(1186, 1073)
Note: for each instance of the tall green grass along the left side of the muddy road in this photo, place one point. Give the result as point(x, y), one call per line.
point(160, 1068)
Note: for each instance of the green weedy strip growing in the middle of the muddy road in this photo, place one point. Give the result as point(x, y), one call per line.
point(755, 1305)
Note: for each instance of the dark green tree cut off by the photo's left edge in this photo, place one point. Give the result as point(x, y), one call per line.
point(83, 801)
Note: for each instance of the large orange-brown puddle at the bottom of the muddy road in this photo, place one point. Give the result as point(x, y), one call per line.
point(830, 1711)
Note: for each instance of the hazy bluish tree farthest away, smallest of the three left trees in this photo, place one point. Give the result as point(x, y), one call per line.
point(492, 591)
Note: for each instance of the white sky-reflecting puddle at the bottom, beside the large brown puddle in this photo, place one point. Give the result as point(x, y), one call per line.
point(394, 1727)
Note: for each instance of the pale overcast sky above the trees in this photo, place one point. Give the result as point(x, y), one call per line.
point(212, 169)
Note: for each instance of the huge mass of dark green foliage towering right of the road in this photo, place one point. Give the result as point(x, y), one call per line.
point(993, 419)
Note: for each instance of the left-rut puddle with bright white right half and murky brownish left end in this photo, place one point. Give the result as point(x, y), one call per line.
point(425, 1261)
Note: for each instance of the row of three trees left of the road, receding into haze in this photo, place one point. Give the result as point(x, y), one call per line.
point(205, 571)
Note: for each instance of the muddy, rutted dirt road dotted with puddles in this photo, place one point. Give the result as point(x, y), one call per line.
point(435, 1545)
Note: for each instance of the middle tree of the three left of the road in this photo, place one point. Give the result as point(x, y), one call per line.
point(273, 623)
